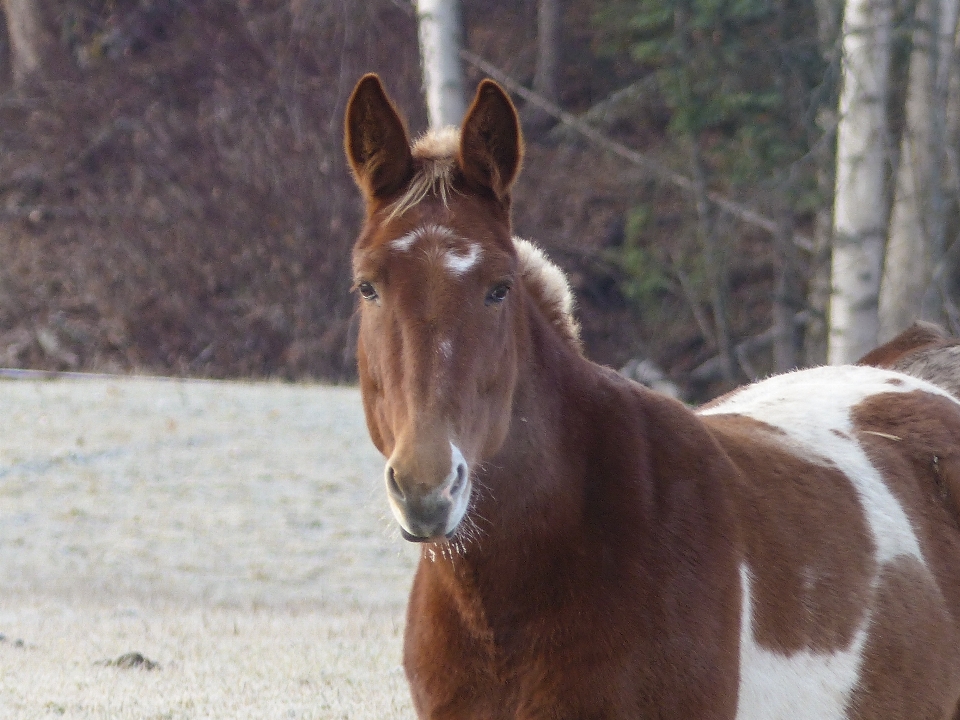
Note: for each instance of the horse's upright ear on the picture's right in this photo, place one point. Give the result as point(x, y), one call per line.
point(491, 144)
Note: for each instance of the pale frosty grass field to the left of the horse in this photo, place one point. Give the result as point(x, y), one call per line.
point(236, 534)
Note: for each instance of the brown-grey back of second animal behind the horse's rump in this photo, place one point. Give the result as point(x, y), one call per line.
point(923, 350)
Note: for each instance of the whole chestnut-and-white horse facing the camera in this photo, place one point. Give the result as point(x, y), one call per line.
point(592, 549)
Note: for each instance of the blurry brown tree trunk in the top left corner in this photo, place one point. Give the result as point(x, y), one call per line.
point(35, 51)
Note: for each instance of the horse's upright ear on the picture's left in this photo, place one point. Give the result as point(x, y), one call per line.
point(376, 141)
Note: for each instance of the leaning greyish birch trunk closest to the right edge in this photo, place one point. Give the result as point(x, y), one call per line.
point(918, 223)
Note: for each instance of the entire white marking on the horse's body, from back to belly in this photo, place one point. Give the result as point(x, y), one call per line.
point(813, 408)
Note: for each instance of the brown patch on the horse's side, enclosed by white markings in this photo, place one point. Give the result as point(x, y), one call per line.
point(808, 546)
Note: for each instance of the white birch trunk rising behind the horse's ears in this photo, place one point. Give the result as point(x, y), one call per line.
point(441, 31)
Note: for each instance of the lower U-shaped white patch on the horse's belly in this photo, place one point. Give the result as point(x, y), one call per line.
point(803, 685)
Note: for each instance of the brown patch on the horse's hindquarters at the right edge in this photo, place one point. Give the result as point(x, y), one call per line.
point(917, 608)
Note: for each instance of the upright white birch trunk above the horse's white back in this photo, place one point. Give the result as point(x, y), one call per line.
point(860, 205)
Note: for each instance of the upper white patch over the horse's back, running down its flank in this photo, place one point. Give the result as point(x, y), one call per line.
point(813, 407)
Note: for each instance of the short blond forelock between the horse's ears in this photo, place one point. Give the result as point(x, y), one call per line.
point(435, 158)
